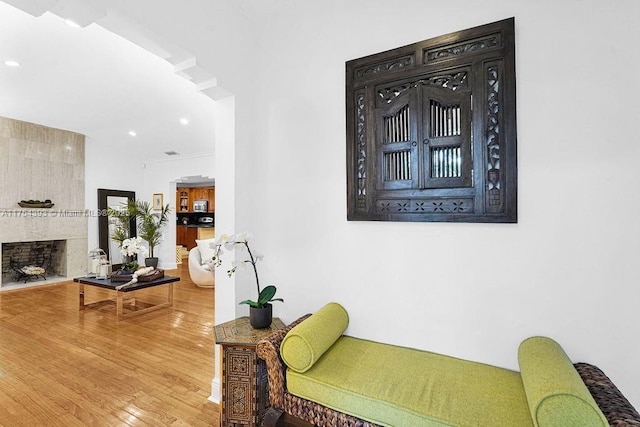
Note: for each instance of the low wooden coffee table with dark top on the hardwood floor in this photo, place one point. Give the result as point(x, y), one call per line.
point(125, 294)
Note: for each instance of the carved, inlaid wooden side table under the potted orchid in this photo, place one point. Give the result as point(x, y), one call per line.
point(245, 389)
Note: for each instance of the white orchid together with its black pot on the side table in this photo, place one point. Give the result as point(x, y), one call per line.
point(260, 310)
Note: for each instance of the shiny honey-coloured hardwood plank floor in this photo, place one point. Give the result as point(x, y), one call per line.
point(60, 366)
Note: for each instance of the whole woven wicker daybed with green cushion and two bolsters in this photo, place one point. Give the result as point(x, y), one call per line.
point(331, 379)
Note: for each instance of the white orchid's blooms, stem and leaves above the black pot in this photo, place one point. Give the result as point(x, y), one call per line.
point(240, 241)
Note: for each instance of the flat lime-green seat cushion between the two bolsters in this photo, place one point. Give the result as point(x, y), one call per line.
point(398, 386)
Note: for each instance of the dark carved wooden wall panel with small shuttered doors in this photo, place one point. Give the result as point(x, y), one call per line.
point(431, 130)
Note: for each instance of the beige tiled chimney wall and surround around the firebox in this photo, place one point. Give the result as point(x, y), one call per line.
point(38, 162)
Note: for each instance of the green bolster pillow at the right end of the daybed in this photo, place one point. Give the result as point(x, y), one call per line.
point(556, 394)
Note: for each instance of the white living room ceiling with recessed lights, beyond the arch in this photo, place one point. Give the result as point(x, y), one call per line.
point(94, 82)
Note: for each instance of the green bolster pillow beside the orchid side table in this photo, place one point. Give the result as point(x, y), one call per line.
point(307, 342)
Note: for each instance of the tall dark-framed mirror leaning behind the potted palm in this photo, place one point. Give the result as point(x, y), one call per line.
point(115, 199)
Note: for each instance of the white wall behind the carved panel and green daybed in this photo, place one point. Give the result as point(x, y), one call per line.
point(566, 270)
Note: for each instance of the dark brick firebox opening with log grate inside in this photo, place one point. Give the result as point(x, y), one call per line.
point(36, 260)
